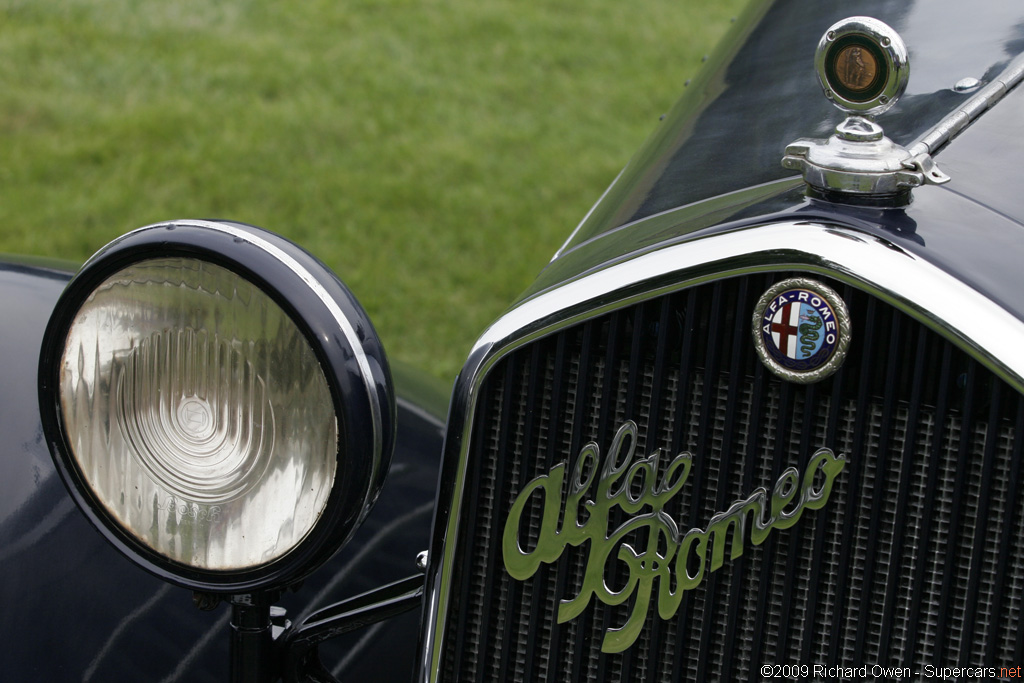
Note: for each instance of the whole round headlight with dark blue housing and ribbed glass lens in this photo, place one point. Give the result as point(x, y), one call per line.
point(218, 403)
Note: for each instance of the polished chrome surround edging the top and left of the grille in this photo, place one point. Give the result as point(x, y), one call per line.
point(920, 288)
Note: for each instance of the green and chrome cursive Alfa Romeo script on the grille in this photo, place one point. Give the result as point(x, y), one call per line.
point(659, 560)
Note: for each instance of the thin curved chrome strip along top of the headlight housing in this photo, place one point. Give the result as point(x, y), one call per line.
point(344, 324)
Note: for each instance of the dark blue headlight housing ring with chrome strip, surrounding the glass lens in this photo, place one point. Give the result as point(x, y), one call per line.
point(343, 339)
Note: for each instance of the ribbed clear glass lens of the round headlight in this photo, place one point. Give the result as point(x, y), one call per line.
point(196, 409)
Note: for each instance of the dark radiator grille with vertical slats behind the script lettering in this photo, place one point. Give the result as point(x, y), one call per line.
point(917, 559)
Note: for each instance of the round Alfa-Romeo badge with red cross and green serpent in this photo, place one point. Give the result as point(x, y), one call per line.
point(801, 330)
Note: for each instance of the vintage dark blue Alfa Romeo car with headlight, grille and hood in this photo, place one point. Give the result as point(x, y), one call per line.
point(760, 418)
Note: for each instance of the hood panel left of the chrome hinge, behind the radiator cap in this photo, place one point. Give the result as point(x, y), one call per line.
point(760, 93)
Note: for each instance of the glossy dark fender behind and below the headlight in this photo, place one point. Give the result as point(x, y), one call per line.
point(75, 610)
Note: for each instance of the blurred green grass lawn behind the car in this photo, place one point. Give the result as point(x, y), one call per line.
point(434, 153)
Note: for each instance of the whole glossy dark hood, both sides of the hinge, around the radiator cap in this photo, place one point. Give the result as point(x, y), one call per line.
point(714, 164)
